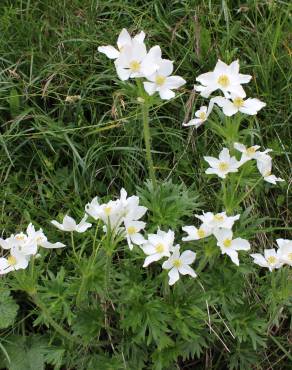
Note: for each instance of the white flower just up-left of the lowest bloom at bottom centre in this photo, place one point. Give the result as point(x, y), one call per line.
point(158, 246)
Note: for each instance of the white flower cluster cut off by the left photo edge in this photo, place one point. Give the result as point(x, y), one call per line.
point(22, 247)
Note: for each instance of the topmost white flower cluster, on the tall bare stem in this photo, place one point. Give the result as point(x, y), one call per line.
point(133, 61)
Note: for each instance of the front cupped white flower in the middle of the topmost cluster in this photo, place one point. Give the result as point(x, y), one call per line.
point(134, 61)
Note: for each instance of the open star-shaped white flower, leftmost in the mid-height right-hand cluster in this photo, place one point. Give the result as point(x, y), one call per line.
point(222, 166)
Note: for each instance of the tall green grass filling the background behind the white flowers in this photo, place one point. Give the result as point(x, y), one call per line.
point(55, 156)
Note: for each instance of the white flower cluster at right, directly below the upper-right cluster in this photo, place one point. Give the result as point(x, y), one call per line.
point(226, 164)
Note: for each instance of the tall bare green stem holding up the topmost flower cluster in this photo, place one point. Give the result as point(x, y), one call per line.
point(146, 131)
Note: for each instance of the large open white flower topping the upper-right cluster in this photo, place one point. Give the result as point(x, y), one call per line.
point(225, 78)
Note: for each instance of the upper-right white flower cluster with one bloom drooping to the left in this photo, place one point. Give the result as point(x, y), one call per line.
point(229, 81)
